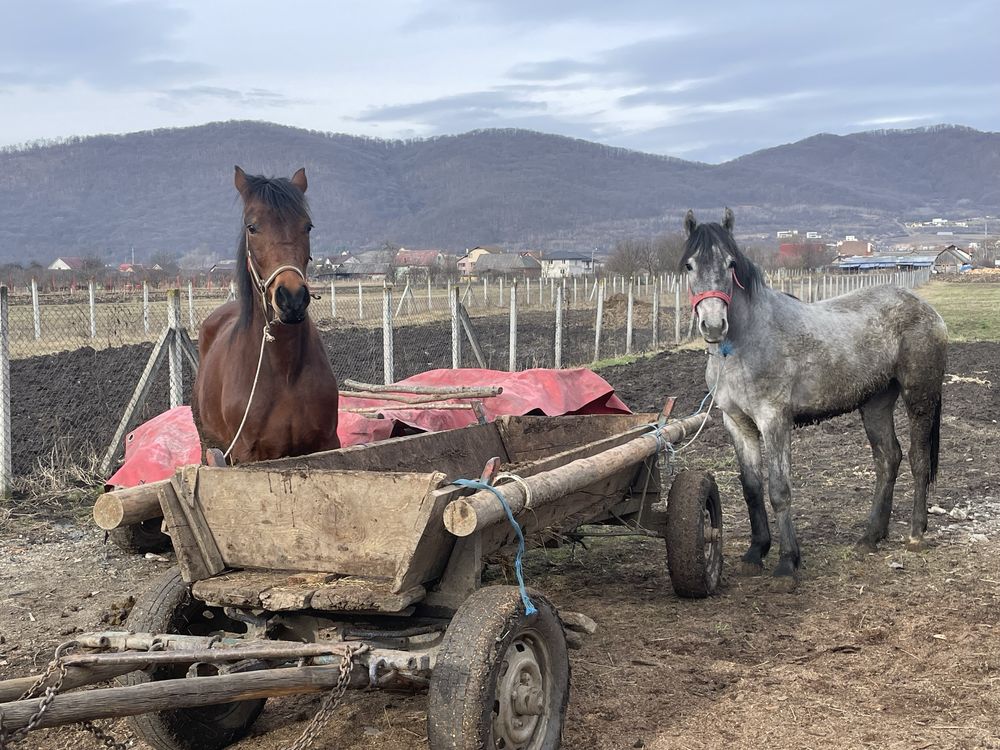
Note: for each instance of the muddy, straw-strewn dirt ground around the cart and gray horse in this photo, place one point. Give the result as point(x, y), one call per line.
point(889, 650)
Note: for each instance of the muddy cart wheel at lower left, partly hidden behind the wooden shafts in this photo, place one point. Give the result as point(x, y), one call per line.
point(168, 607)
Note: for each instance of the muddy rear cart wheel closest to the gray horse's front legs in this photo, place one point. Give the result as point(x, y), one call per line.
point(694, 534)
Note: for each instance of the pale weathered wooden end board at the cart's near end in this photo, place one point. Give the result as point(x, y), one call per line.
point(345, 522)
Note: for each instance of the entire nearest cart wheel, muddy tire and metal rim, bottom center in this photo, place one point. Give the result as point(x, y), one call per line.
point(501, 680)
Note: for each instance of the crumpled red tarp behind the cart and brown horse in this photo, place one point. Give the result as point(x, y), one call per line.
point(156, 448)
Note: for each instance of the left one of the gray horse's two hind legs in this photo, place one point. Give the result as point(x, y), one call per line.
point(876, 413)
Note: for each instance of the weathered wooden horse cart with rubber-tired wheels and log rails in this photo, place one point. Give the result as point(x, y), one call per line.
point(362, 567)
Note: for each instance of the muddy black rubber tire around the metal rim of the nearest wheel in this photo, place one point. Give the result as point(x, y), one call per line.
point(464, 680)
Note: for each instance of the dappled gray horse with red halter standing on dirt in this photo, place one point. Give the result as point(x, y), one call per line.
point(776, 362)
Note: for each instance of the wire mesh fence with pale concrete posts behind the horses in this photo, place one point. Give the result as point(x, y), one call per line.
point(70, 361)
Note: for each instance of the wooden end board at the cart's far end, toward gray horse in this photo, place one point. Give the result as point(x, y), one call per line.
point(549, 440)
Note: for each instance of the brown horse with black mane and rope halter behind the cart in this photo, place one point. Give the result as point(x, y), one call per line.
point(265, 388)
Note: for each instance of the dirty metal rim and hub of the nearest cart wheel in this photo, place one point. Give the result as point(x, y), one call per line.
point(520, 697)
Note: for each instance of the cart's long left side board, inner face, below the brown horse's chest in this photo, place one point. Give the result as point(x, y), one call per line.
point(454, 452)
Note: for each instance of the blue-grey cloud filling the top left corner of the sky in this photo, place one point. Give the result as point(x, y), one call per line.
point(106, 45)
